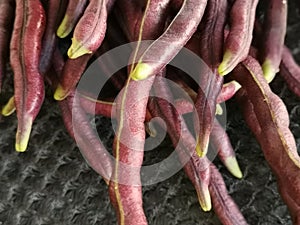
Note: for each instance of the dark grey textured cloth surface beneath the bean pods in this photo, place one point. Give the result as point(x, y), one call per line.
point(52, 184)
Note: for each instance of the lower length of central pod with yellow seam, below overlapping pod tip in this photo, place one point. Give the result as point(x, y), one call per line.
point(125, 187)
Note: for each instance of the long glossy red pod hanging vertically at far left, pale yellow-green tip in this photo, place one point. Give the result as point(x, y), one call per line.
point(25, 51)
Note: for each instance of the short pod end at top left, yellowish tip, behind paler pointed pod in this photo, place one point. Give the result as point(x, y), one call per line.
point(73, 13)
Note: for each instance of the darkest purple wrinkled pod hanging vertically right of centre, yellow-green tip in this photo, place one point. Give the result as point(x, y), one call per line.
point(210, 82)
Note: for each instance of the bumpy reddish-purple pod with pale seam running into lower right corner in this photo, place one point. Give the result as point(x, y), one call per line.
point(272, 133)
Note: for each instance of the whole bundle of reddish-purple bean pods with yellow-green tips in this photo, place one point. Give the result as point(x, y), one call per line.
point(243, 52)
